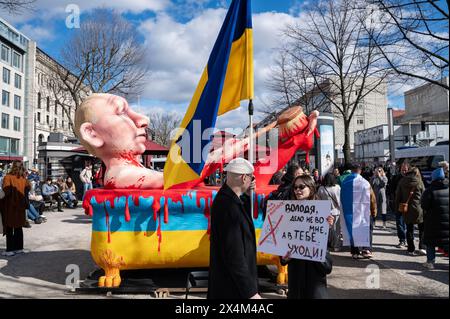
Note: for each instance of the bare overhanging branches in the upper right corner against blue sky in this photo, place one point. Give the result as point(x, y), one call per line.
point(415, 40)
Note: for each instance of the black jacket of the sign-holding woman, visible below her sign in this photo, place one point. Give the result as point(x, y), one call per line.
point(308, 279)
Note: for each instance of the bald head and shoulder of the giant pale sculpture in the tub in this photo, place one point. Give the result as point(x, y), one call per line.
point(110, 130)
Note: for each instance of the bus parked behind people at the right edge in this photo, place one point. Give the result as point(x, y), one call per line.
point(426, 159)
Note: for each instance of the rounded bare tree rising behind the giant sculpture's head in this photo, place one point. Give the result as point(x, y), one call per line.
point(103, 56)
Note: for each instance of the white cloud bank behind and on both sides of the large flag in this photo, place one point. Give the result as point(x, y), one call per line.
point(178, 53)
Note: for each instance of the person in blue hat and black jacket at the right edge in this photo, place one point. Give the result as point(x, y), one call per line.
point(435, 207)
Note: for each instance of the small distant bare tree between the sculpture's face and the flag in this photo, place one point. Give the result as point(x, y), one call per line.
point(162, 124)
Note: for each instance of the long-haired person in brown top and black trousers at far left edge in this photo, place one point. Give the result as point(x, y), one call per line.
point(13, 208)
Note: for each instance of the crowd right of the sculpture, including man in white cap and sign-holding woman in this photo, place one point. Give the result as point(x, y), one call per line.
point(401, 194)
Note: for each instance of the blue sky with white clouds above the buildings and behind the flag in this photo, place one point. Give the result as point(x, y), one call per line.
point(176, 65)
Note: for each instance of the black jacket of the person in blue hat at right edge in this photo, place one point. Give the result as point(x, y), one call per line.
point(435, 206)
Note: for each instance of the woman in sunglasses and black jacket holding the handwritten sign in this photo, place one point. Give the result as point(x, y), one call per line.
point(307, 279)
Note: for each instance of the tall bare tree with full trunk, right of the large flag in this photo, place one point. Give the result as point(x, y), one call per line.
point(347, 64)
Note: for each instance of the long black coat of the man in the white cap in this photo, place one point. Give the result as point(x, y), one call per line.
point(232, 263)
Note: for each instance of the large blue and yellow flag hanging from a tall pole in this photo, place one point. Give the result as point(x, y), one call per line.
point(226, 80)
